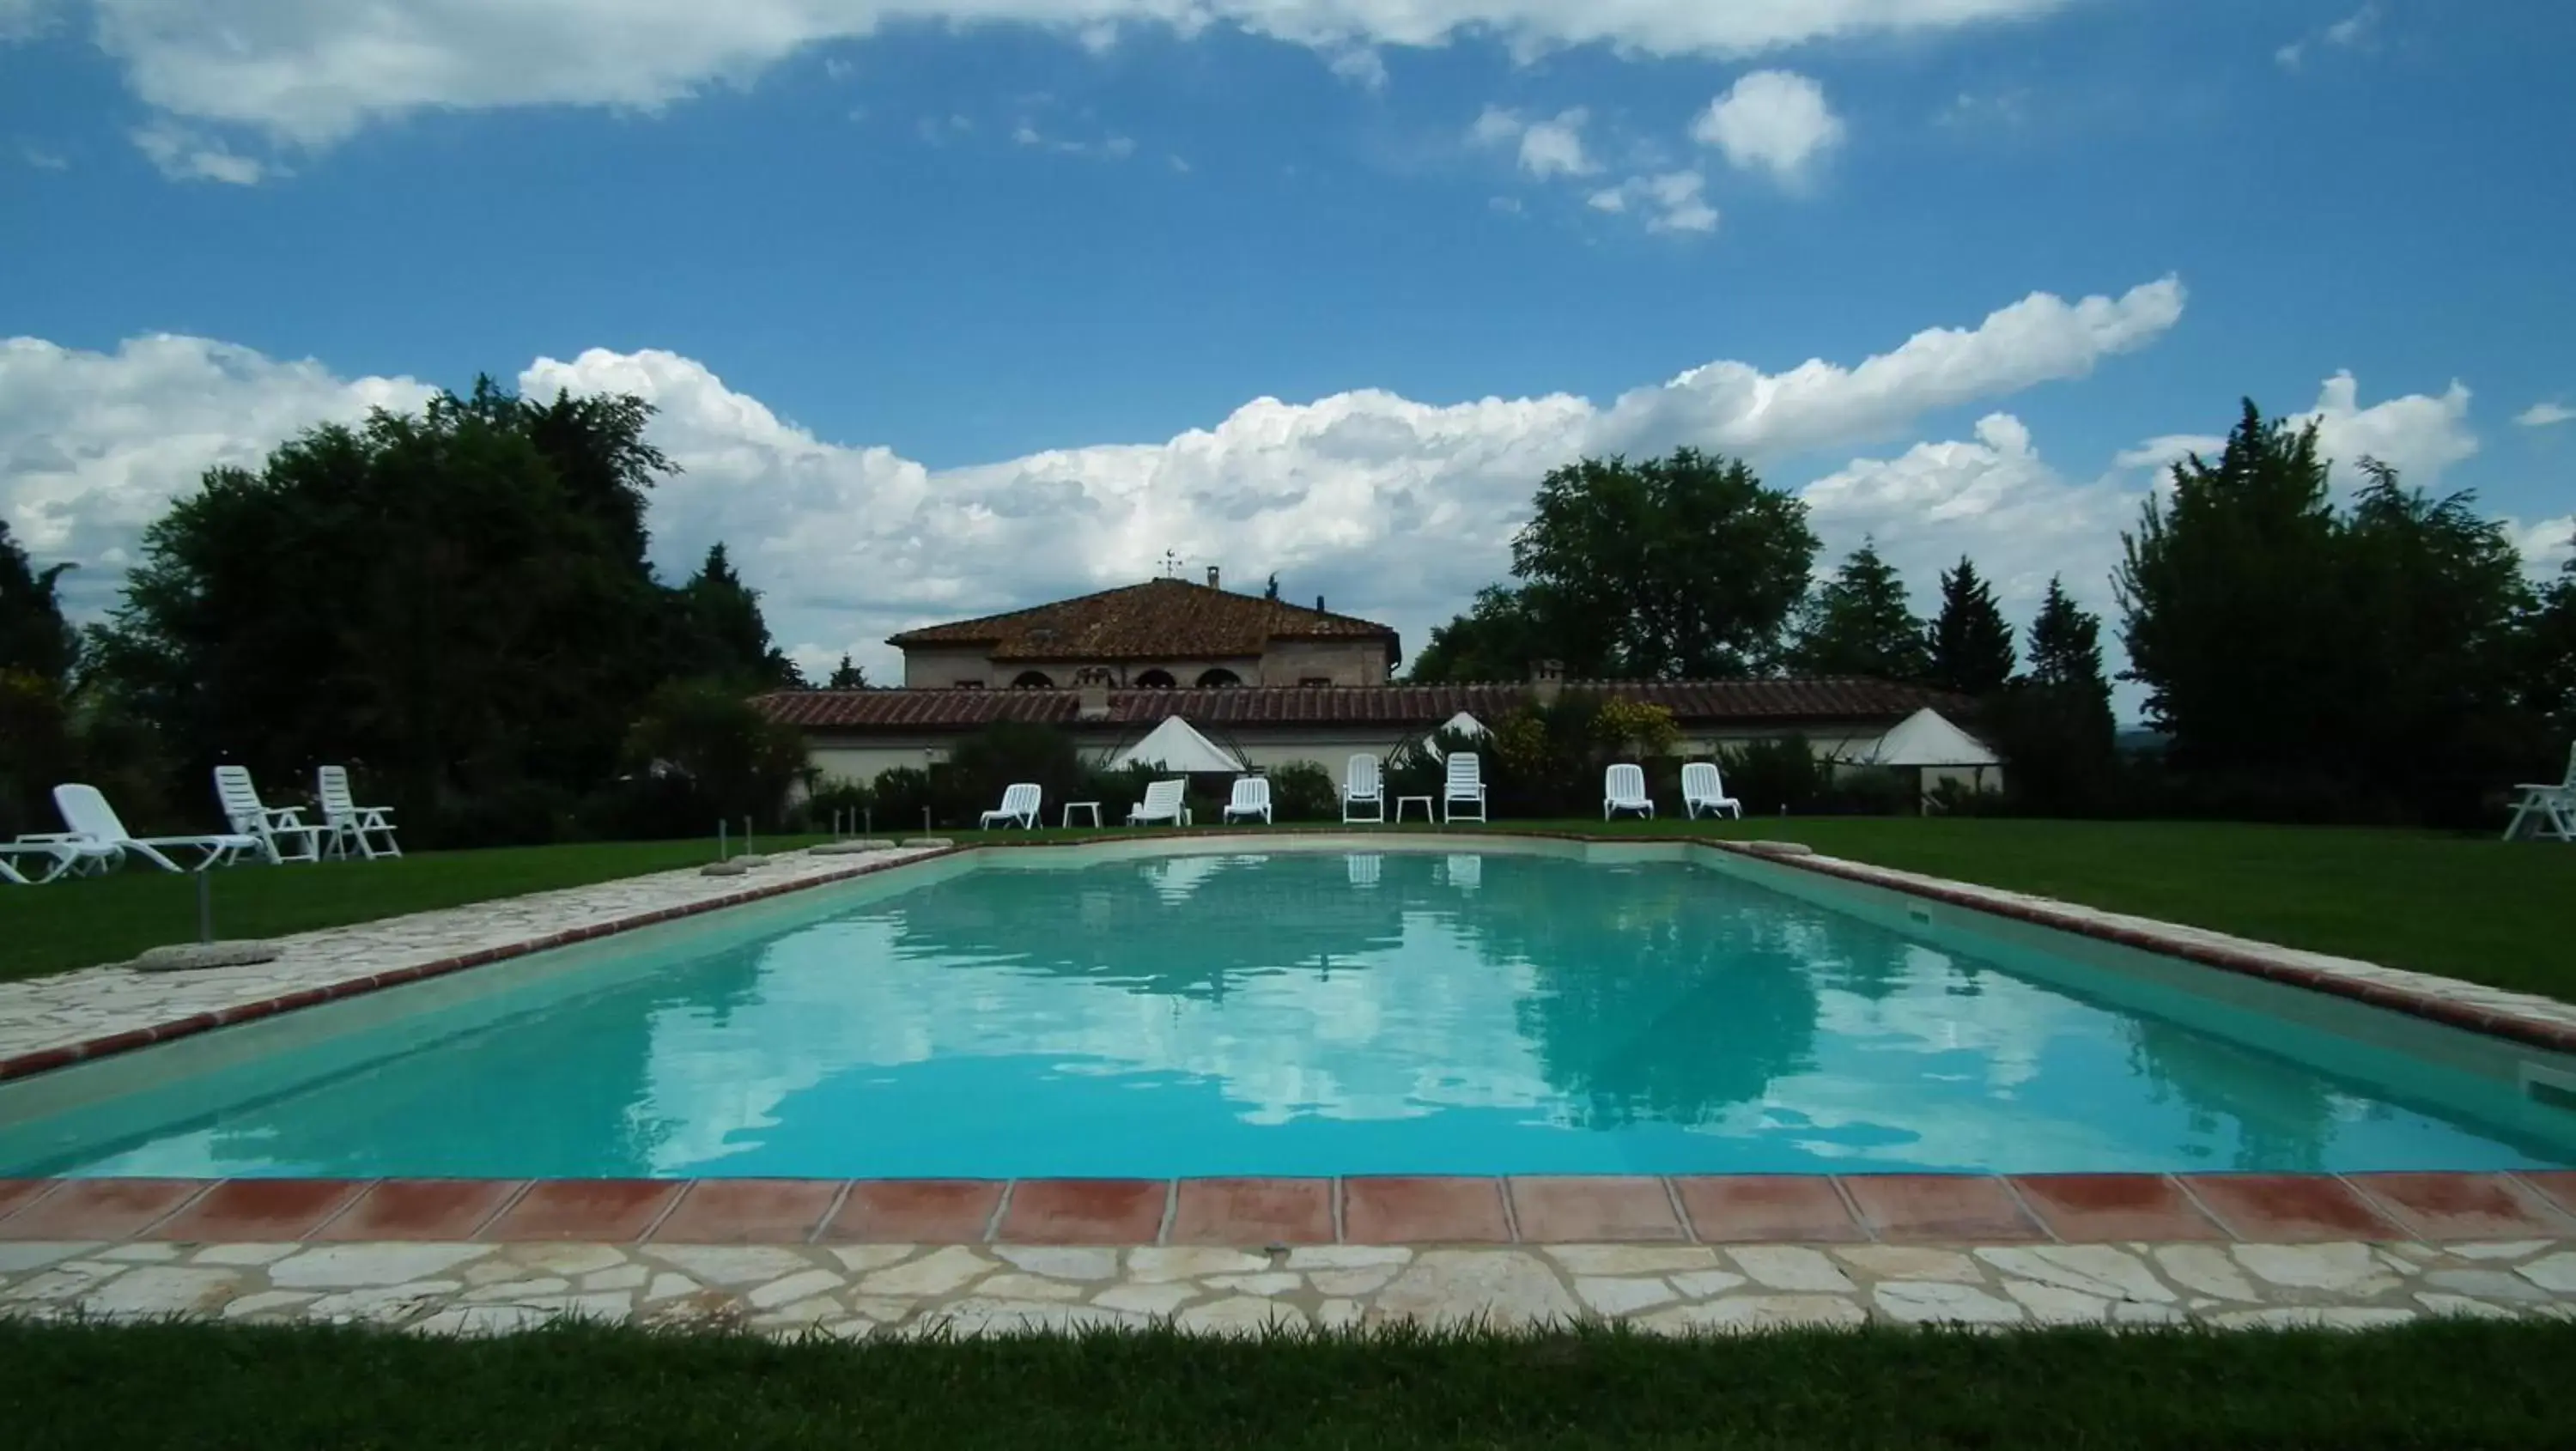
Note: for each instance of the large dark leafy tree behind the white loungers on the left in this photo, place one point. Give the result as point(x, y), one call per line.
point(457, 602)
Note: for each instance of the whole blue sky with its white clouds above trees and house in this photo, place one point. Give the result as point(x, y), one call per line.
point(949, 318)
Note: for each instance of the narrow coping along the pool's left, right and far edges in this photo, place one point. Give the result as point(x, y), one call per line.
point(2425, 996)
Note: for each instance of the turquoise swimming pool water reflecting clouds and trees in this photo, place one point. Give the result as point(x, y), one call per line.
point(1302, 1014)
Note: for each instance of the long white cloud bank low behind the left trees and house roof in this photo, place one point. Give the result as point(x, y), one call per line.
point(857, 543)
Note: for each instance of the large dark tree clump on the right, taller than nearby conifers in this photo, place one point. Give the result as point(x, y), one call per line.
point(2371, 651)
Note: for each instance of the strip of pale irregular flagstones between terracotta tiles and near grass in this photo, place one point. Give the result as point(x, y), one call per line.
point(978, 1290)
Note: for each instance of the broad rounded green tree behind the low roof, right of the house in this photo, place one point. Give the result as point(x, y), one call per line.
point(1660, 568)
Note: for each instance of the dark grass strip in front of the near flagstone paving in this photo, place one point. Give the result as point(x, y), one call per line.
point(2438, 1385)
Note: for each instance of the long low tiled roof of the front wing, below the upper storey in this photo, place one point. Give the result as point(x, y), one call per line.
point(1410, 707)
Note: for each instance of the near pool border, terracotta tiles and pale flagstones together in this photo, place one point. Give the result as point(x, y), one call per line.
point(1238, 1256)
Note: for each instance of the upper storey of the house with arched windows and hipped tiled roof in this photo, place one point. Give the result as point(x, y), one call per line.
point(1155, 635)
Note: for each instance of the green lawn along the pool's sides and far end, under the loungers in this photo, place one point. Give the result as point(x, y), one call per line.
point(2441, 903)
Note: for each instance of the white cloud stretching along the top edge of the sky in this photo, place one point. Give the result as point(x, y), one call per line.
point(310, 73)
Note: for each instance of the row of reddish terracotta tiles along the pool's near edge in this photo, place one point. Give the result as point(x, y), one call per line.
point(1261, 1213)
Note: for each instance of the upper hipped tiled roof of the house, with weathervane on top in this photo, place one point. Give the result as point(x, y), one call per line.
point(1160, 620)
